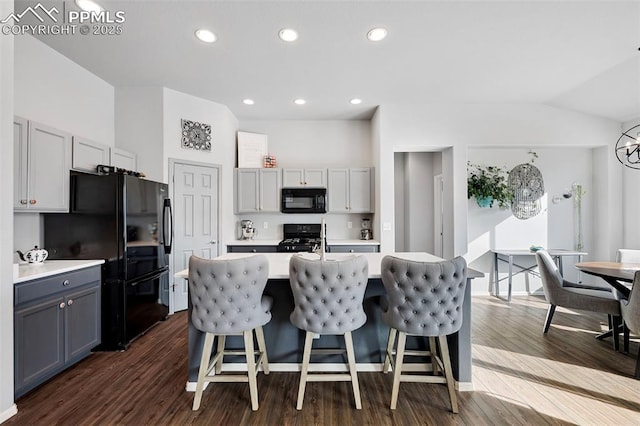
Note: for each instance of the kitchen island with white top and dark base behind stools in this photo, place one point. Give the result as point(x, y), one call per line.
point(285, 342)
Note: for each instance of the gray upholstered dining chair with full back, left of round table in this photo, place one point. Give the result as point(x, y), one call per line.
point(558, 294)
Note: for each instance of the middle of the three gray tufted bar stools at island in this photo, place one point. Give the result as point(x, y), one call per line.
point(328, 299)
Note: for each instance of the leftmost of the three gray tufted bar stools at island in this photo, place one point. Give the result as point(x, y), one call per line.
point(227, 299)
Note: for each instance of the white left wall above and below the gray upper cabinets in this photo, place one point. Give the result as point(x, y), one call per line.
point(53, 90)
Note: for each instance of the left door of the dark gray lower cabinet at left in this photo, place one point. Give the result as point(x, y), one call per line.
point(39, 349)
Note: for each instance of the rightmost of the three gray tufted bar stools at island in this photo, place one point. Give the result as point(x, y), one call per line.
point(422, 299)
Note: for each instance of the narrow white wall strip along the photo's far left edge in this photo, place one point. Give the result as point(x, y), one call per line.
point(7, 406)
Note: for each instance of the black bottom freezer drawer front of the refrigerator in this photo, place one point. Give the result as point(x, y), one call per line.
point(146, 303)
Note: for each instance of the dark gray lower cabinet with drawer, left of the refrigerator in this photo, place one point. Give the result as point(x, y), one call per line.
point(56, 324)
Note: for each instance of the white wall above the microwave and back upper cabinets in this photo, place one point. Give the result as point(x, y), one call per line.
point(329, 143)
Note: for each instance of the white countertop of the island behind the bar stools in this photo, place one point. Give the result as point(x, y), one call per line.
point(279, 262)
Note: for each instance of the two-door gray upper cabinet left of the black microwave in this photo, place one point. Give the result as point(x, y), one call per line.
point(257, 190)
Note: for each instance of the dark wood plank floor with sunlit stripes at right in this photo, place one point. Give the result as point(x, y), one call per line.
point(520, 377)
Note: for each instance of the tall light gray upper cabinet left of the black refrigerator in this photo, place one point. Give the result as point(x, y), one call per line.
point(42, 156)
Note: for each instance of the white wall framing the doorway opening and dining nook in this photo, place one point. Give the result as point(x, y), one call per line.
point(425, 127)
